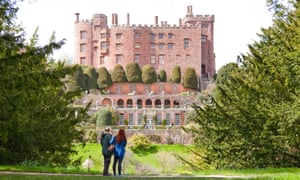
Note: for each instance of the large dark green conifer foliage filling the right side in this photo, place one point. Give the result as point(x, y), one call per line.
point(254, 120)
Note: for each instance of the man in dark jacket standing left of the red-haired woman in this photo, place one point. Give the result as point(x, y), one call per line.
point(105, 142)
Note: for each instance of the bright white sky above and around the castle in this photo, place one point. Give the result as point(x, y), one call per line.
point(236, 25)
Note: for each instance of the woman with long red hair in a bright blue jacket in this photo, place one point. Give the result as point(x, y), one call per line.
point(120, 142)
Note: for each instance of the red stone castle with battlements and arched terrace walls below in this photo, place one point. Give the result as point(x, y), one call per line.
point(188, 44)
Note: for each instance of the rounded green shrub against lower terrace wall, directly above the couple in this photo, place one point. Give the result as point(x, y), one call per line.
point(103, 117)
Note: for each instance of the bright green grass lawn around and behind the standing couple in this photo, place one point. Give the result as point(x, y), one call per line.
point(160, 162)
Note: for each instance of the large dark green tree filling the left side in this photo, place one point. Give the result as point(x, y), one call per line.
point(37, 120)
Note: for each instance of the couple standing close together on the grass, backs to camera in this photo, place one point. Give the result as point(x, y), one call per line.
point(113, 145)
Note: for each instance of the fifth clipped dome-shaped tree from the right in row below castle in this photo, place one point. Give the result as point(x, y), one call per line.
point(133, 72)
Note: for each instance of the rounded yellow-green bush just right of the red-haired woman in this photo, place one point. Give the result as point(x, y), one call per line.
point(139, 142)
